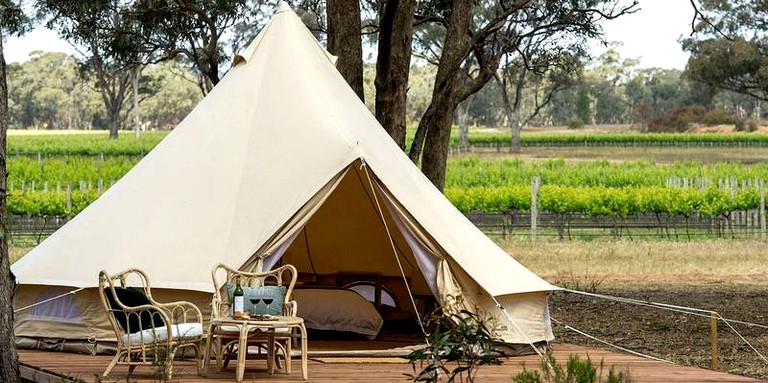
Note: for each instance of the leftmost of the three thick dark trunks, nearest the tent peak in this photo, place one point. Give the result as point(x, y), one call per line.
point(344, 41)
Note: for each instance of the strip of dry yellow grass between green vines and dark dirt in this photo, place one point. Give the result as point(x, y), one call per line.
point(612, 263)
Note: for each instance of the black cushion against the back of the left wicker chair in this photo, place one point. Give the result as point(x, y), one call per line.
point(132, 297)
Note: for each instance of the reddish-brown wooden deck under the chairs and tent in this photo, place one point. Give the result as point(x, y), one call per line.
point(49, 367)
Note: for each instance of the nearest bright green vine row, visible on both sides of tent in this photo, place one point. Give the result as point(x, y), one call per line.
point(720, 198)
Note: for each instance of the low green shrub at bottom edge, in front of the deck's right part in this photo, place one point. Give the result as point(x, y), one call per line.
point(576, 371)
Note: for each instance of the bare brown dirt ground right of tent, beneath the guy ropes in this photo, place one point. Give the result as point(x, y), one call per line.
point(681, 338)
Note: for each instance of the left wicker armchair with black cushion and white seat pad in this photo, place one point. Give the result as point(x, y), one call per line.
point(148, 332)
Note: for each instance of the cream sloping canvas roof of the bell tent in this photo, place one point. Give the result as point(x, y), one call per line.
point(278, 126)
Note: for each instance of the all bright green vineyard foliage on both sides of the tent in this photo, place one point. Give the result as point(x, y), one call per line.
point(594, 188)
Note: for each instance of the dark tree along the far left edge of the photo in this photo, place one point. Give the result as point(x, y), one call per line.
point(12, 21)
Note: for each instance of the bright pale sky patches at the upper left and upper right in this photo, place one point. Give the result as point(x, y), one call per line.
point(650, 34)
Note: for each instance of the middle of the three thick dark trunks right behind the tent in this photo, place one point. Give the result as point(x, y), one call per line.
point(393, 66)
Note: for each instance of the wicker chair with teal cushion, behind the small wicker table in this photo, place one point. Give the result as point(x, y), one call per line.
point(226, 337)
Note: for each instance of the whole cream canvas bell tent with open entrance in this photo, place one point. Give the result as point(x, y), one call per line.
point(281, 159)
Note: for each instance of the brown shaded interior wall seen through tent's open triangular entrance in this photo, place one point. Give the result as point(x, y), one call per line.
point(346, 228)
